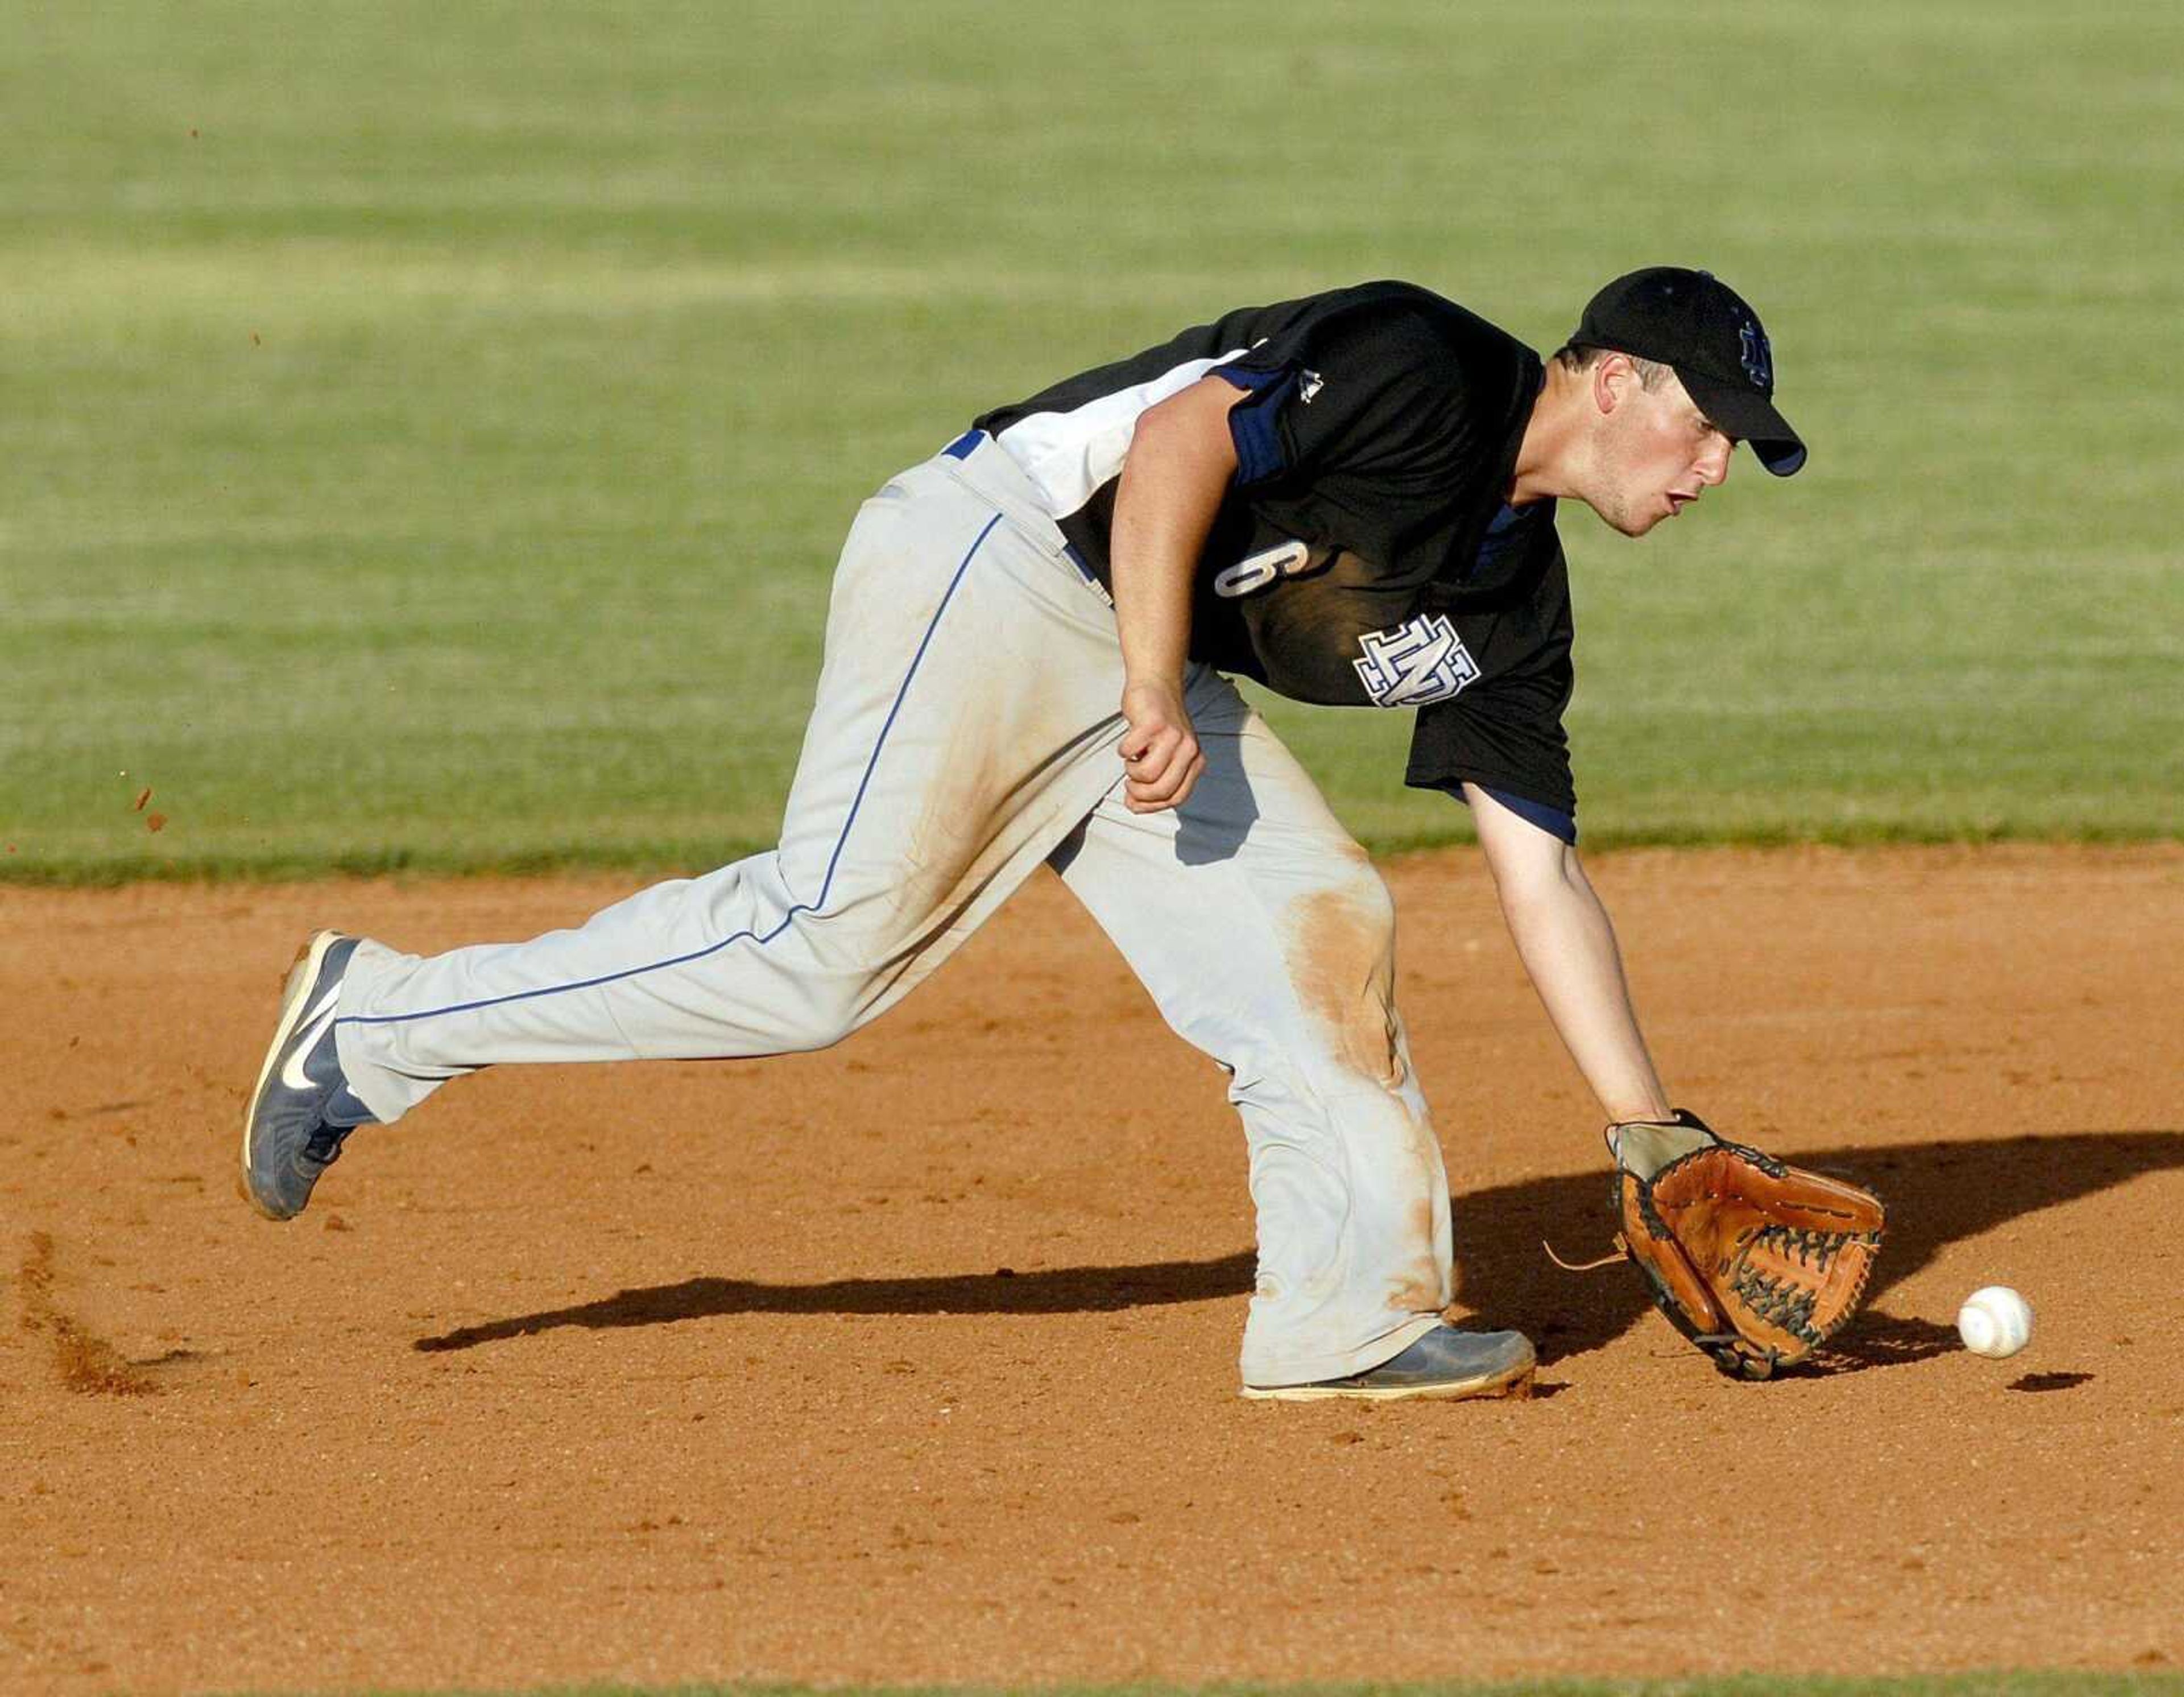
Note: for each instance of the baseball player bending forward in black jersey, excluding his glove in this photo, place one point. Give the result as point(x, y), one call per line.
point(1028, 663)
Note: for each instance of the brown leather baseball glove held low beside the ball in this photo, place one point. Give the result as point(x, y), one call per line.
point(1755, 1261)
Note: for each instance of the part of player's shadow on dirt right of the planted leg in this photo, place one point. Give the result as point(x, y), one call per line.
point(1936, 1194)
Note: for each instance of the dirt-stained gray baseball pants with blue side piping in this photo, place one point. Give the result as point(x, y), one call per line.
point(966, 733)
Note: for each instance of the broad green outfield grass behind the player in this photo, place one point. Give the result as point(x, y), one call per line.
point(429, 427)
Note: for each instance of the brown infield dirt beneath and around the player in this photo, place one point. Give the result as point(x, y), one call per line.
point(916, 1360)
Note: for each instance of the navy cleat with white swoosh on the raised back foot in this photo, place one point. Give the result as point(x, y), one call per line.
point(302, 1106)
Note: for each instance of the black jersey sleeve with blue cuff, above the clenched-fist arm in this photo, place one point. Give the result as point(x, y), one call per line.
point(1366, 385)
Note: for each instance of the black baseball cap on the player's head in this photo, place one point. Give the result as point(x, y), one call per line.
point(1702, 329)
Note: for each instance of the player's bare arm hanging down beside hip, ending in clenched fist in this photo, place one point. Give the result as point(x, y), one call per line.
point(1178, 468)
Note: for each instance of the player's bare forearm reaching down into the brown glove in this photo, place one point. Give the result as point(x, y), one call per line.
point(1569, 947)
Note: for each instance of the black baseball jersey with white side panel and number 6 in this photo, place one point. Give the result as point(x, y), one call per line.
point(1364, 554)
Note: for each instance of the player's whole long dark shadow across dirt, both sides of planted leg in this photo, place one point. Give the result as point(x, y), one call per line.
point(1936, 1194)
